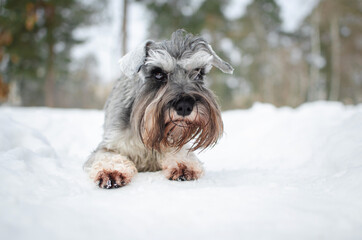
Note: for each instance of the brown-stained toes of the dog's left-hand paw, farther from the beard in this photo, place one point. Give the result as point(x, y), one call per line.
point(112, 179)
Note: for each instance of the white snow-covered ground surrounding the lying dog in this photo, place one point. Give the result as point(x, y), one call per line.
point(276, 174)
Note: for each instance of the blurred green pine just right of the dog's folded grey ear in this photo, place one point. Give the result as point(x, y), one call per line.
point(256, 31)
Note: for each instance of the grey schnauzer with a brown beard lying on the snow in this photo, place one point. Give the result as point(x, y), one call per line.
point(159, 112)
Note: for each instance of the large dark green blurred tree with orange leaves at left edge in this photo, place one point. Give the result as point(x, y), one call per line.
point(41, 37)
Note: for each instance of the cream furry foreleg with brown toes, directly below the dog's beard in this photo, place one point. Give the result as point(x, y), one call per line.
point(181, 166)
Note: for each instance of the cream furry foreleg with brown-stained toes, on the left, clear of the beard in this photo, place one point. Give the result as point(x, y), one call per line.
point(109, 169)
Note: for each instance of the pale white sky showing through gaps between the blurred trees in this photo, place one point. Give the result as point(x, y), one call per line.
point(103, 40)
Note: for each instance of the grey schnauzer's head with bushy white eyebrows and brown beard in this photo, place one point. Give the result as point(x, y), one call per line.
point(173, 105)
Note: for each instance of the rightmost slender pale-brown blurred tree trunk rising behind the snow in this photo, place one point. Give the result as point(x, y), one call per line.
point(336, 59)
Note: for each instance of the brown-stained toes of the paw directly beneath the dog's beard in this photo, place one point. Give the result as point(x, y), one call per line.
point(184, 171)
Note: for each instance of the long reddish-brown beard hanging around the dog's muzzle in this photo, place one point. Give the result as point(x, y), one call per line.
point(161, 128)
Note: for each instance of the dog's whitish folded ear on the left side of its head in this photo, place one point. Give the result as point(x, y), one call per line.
point(131, 63)
